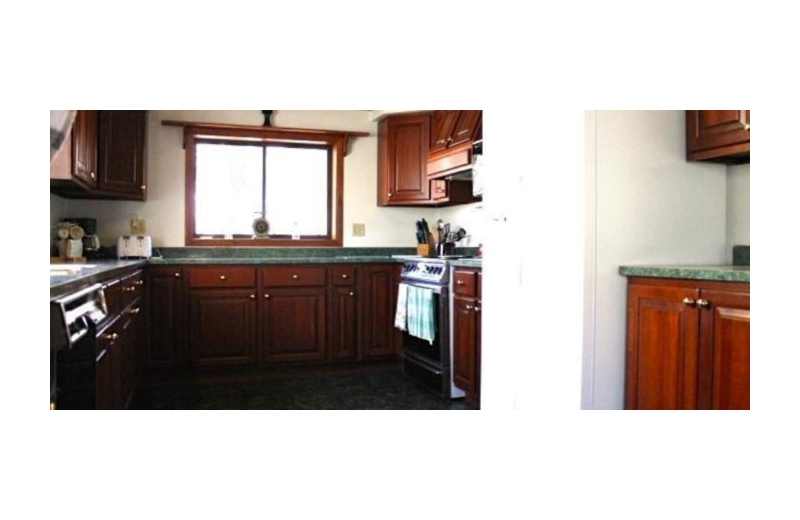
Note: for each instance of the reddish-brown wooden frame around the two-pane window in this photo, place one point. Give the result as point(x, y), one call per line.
point(337, 143)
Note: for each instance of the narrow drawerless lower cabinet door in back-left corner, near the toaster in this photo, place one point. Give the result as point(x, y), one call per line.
point(166, 324)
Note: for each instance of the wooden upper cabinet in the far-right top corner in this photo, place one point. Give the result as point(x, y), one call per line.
point(718, 135)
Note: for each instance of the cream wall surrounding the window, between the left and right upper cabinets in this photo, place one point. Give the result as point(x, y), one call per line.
point(164, 210)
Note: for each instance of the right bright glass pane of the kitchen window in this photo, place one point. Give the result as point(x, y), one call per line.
point(297, 191)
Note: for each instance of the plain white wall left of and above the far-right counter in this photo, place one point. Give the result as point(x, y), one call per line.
point(653, 207)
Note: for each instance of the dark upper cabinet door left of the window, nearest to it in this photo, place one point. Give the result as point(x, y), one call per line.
point(122, 153)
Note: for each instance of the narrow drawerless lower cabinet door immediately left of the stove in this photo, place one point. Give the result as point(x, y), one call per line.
point(380, 305)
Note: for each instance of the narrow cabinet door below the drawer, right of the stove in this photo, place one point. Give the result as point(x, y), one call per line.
point(465, 344)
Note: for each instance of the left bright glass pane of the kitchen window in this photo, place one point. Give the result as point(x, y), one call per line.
point(228, 188)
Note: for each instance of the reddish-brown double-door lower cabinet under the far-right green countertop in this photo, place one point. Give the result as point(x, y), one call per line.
point(688, 345)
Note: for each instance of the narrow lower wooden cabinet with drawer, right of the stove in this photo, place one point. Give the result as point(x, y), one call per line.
point(467, 311)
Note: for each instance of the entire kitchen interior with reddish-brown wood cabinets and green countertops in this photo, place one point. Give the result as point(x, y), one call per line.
point(258, 293)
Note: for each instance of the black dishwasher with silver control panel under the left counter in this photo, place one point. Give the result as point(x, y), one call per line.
point(73, 325)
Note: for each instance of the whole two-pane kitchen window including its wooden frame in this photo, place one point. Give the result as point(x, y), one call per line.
point(293, 183)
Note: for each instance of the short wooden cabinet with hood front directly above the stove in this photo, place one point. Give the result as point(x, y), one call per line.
point(454, 133)
